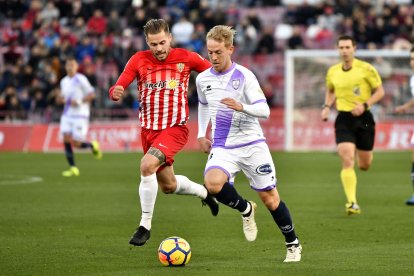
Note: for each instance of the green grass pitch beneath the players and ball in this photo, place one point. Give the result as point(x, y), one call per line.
point(50, 225)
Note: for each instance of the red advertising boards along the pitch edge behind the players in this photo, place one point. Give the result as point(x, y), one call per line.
point(126, 136)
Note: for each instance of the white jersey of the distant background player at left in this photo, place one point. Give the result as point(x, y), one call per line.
point(76, 88)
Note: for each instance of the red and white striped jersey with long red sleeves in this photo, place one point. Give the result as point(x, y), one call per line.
point(162, 85)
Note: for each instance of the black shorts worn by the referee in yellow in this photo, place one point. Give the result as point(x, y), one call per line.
point(358, 130)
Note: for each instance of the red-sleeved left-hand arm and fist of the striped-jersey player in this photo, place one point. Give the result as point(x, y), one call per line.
point(116, 92)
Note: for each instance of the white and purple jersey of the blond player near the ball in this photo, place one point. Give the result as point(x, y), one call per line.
point(231, 129)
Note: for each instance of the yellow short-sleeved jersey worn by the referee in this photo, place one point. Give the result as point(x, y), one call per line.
point(354, 85)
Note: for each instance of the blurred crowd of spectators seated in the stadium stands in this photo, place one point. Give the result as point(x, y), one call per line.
point(37, 36)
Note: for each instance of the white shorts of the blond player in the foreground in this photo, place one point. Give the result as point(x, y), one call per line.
point(255, 161)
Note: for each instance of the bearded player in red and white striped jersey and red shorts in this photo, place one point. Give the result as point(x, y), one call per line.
point(162, 75)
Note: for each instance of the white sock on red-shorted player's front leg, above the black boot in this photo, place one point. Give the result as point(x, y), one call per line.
point(148, 189)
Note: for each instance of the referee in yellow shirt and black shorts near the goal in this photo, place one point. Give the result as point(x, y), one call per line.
point(354, 86)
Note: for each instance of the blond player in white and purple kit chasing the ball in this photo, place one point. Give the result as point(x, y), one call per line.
point(231, 98)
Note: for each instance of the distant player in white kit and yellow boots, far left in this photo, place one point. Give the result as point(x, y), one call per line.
point(76, 95)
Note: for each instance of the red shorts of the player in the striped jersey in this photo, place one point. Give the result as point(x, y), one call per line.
point(170, 141)
